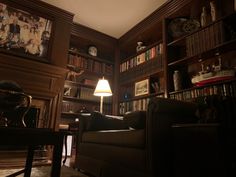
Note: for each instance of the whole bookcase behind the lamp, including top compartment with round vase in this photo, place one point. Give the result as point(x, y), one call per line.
point(84, 70)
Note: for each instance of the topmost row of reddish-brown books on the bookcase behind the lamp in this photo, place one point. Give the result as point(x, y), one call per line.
point(89, 64)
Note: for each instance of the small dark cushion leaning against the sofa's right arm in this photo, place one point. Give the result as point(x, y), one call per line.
point(136, 119)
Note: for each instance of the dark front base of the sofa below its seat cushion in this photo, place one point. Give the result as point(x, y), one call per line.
point(132, 158)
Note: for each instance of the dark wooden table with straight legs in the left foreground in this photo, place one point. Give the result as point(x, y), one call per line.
point(33, 137)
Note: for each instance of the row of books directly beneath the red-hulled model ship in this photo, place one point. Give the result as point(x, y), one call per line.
point(226, 89)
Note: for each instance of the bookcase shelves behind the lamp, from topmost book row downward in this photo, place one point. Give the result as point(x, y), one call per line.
point(81, 79)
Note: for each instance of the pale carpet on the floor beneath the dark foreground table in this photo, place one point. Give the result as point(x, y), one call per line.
point(44, 171)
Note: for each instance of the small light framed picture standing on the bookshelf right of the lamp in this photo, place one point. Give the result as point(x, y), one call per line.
point(141, 87)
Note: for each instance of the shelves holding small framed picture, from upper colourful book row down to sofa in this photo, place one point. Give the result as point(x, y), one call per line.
point(144, 66)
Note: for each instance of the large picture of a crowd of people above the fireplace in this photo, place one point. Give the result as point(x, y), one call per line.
point(23, 33)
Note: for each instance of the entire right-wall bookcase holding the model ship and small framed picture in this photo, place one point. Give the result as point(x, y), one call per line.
point(187, 46)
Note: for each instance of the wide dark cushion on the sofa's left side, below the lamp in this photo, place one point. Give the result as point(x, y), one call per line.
point(99, 121)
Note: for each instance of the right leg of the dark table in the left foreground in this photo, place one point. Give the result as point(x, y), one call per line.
point(56, 162)
